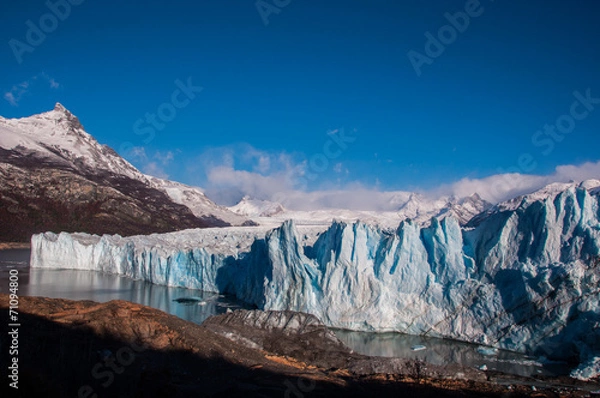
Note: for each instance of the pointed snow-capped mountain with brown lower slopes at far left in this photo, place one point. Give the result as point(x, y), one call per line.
point(97, 184)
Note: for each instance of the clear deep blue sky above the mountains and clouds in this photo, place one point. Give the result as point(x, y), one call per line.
point(317, 66)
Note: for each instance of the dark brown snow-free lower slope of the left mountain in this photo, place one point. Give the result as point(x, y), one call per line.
point(37, 199)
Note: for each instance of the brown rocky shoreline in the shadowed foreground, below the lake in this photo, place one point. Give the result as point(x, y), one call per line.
point(82, 348)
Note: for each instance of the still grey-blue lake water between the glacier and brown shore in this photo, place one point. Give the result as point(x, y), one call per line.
point(101, 287)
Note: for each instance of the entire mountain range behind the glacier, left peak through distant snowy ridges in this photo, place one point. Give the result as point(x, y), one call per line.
point(53, 148)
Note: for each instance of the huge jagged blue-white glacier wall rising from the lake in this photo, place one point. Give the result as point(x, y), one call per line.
point(521, 276)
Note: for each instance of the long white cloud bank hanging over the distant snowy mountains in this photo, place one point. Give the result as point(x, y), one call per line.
point(227, 174)
